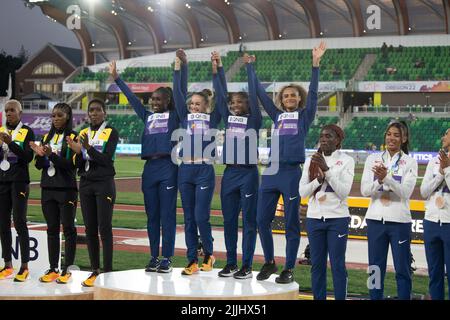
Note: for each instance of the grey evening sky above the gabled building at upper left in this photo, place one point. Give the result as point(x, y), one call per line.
point(30, 27)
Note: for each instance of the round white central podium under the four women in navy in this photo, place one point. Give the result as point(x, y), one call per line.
point(141, 285)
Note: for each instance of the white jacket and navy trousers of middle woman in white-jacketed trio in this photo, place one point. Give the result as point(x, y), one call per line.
point(389, 217)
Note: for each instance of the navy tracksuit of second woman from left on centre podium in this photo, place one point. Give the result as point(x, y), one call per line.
point(196, 181)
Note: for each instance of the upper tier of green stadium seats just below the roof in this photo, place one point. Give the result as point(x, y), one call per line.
point(295, 65)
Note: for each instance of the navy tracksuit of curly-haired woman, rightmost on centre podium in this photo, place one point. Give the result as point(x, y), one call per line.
point(291, 134)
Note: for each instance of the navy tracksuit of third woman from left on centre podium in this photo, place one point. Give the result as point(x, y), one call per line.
point(240, 180)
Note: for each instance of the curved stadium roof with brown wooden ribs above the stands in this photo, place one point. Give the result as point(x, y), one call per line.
point(131, 28)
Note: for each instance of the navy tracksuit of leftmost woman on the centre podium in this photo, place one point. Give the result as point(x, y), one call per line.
point(159, 179)
